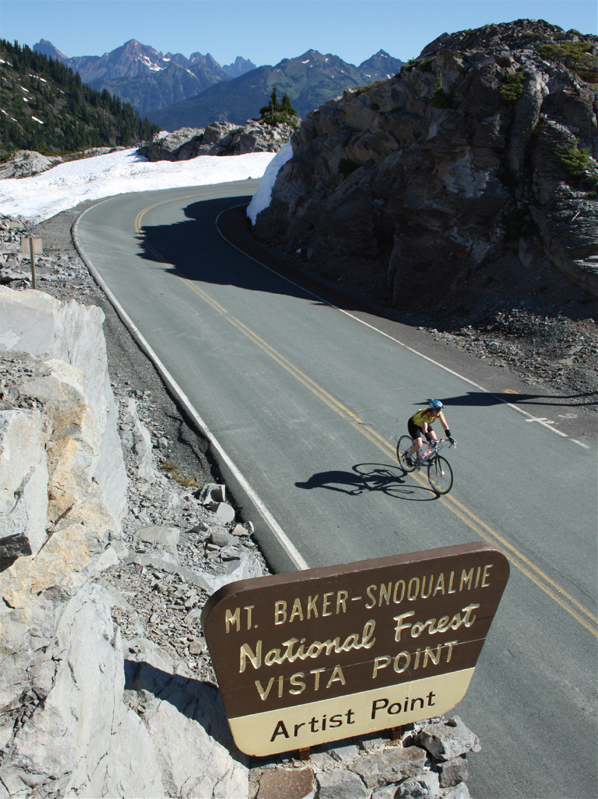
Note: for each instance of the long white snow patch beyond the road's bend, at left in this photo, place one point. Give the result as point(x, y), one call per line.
point(64, 186)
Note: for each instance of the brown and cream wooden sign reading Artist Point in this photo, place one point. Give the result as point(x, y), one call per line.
point(314, 656)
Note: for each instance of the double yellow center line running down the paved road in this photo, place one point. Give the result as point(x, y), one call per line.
point(483, 530)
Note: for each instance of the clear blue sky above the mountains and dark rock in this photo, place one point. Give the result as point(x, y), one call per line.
point(268, 30)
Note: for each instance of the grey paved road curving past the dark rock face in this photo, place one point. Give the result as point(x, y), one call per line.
point(308, 402)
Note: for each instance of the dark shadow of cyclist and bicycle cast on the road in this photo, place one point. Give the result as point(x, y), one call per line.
point(368, 478)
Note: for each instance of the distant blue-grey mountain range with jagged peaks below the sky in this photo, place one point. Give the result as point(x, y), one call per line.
point(175, 91)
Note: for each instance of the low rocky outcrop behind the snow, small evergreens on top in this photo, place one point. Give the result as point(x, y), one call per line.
point(219, 138)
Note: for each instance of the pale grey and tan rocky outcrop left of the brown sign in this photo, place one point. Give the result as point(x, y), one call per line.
point(83, 712)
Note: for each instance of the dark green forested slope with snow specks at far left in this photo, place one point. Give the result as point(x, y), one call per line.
point(45, 107)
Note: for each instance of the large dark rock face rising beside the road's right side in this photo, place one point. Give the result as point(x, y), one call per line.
point(441, 180)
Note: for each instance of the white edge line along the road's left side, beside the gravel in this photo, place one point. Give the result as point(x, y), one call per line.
point(277, 530)
